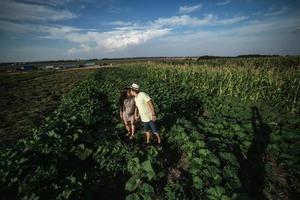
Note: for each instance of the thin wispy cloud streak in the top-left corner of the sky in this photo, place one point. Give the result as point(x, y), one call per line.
point(20, 11)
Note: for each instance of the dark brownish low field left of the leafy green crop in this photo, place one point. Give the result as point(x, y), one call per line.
point(26, 98)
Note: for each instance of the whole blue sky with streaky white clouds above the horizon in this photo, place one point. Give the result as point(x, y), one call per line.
point(36, 30)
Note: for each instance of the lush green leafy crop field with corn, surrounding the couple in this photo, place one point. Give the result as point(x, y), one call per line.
point(230, 129)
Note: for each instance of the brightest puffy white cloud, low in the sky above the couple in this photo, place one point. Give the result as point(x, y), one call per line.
point(106, 41)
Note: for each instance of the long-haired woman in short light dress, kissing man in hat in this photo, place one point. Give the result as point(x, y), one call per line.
point(128, 112)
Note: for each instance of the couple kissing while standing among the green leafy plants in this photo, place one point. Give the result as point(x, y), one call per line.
point(135, 104)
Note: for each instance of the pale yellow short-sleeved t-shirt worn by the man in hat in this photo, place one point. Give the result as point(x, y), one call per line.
point(141, 103)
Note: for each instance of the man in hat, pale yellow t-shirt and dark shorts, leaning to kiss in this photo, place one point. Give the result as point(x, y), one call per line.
point(146, 110)
